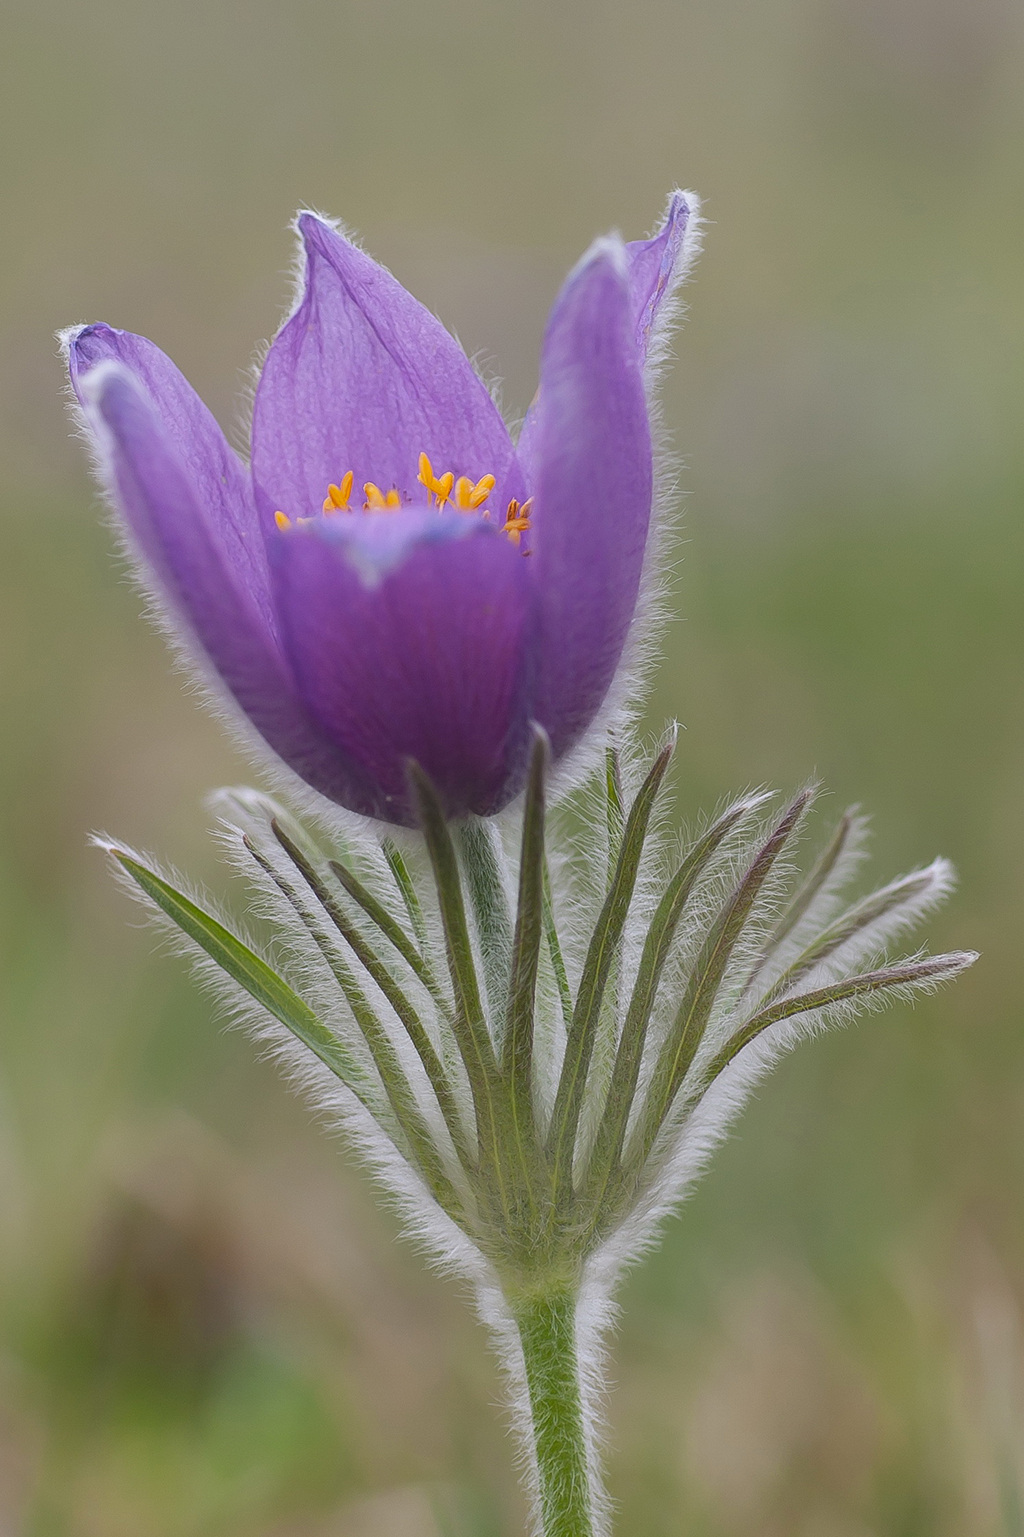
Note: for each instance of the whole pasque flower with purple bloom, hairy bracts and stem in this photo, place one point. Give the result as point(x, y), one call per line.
point(534, 1029)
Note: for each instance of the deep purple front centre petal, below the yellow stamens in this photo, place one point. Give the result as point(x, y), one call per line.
point(428, 662)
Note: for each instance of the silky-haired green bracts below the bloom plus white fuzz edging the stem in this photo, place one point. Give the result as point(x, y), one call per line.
point(702, 960)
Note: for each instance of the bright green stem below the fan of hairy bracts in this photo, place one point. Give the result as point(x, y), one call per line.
point(548, 1333)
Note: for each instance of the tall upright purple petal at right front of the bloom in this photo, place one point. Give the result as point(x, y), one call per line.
point(593, 499)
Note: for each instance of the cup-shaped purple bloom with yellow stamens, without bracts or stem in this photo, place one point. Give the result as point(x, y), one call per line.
point(468, 588)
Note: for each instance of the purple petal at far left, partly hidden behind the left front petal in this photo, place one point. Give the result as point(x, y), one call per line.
point(221, 479)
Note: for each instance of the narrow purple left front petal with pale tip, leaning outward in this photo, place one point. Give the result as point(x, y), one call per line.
point(168, 523)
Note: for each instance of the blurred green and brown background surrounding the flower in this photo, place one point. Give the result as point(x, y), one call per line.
point(208, 1324)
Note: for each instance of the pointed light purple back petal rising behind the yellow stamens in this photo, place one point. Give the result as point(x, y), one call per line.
point(365, 379)
